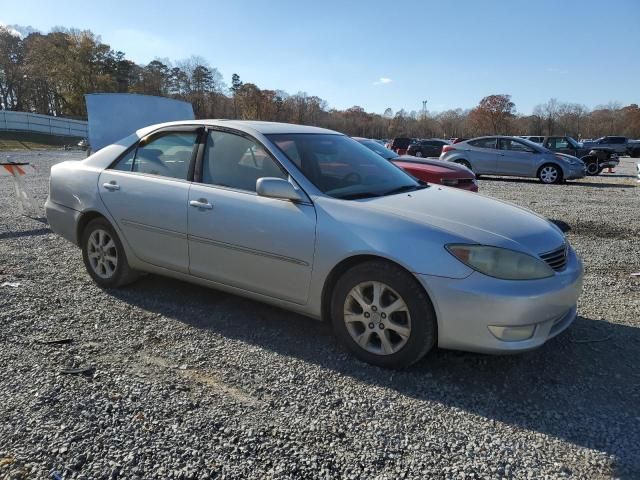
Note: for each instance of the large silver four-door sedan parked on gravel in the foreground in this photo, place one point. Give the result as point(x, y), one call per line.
point(312, 221)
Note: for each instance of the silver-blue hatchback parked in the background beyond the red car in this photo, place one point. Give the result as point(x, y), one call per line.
point(512, 156)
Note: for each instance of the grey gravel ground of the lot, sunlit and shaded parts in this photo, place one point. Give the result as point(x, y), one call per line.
point(194, 383)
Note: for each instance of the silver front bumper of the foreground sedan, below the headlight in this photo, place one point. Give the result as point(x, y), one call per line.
point(465, 308)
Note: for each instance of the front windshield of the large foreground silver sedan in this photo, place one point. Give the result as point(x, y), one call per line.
point(341, 167)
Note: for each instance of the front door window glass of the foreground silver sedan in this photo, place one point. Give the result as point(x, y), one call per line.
point(237, 162)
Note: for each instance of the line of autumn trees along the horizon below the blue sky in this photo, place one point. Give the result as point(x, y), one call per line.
point(50, 73)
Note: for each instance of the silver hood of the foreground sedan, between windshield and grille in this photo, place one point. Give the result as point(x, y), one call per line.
point(472, 218)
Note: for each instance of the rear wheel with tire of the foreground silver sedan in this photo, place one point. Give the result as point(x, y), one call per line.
point(103, 255)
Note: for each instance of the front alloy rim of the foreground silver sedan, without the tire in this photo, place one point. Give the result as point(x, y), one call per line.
point(377, 318)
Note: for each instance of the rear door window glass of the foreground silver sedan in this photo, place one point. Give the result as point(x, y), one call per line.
point(168, 155)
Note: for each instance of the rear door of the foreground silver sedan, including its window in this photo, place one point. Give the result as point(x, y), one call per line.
point(146, 192)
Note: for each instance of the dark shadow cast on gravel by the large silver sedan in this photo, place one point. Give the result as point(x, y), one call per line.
point(582, 387)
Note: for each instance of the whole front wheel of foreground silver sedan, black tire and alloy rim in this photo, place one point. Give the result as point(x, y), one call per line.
point(409, 333)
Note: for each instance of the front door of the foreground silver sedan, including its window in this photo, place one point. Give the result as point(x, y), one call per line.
point(263, 245)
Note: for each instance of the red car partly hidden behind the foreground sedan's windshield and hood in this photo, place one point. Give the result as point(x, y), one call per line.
point(432, 171)
